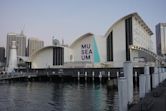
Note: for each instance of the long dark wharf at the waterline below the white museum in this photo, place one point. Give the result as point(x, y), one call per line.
point(61, 72)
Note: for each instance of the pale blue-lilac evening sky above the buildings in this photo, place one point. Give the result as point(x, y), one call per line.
point(69, 19)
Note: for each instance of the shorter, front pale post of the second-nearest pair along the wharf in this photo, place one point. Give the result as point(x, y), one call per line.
point(142, 85)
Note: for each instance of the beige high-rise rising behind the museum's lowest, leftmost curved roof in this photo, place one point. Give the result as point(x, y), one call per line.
point(34, 44)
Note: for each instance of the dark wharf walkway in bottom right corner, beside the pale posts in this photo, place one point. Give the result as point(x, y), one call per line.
point(156, 100)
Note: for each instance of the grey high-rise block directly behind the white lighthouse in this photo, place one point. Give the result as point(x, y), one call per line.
point(20, 44)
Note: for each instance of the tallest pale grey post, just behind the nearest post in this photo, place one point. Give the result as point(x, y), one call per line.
point(128, 73)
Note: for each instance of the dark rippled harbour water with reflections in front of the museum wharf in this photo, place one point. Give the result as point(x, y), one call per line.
point(49, 96)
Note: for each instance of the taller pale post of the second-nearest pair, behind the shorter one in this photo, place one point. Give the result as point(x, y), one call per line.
point(147, 74)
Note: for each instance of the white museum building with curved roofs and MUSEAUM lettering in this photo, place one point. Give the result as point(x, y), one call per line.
point(128, 39)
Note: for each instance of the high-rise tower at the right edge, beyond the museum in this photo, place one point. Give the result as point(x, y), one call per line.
point(161, 38)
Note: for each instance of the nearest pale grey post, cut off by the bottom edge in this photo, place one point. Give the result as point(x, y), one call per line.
point(122, 93)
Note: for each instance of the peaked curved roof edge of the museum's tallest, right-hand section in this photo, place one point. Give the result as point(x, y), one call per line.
point(127, 16)
